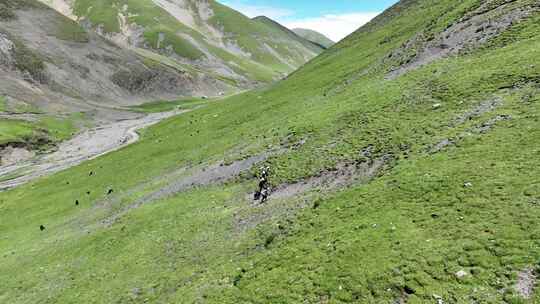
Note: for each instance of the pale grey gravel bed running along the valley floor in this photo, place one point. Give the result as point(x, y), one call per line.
point(84, 146)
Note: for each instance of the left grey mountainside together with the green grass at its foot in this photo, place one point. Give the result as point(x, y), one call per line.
point(52, 71)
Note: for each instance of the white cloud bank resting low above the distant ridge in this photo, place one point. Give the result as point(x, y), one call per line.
point(336, 27)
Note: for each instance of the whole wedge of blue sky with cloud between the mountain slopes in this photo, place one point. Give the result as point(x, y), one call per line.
point(334, 18)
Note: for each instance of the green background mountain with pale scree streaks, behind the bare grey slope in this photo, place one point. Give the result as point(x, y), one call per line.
point(203, 34)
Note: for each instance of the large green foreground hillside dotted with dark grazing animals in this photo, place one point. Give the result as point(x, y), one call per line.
point(398, 178)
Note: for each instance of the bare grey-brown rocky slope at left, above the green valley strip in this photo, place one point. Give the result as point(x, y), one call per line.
point(51, 62)
